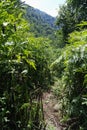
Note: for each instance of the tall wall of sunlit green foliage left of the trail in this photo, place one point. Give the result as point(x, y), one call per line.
point(24, 70)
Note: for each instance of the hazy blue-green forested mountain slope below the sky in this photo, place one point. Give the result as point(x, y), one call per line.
point(42, 24)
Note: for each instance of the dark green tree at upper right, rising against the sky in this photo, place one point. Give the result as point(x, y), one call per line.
point(71, 14)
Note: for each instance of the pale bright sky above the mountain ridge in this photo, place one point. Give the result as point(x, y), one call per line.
point(51, 7)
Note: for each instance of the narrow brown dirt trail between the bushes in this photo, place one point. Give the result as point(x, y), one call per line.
point(51, 116)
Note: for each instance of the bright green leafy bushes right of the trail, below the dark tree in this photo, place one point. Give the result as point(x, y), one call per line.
point(72, 70)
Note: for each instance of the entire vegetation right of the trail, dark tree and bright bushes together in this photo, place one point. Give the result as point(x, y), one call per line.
point(71, 66)
